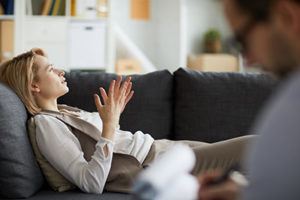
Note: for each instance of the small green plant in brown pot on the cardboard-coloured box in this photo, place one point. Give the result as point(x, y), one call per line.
point(212, 41)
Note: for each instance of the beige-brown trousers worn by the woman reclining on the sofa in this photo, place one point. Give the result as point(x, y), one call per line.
point(219, 155)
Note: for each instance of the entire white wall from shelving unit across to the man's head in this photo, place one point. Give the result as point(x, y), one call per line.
point(175, 28)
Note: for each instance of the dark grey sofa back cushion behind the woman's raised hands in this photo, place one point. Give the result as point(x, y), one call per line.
point(150, 110)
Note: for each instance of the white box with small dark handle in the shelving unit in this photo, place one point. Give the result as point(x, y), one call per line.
point(87, 44)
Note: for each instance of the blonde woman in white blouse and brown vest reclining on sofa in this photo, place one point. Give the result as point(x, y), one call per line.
point(87, 149)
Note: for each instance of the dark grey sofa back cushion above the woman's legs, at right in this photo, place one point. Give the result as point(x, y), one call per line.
point(212, 106)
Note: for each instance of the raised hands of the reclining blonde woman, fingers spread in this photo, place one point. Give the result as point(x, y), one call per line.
point(113, 104)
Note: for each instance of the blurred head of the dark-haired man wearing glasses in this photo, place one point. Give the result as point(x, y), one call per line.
point(269, 31)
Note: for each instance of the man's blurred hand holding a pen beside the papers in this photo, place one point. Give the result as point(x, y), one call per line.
point(227, 190)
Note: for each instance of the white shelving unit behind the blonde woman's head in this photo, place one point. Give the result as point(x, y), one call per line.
point(54, 33)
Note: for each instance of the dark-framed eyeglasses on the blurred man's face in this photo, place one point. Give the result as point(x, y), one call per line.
point(239, 40)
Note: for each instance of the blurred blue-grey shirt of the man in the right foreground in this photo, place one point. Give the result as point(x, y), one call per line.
point(274, 159)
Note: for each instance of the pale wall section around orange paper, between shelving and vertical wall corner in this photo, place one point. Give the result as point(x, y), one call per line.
point(159, 37)
